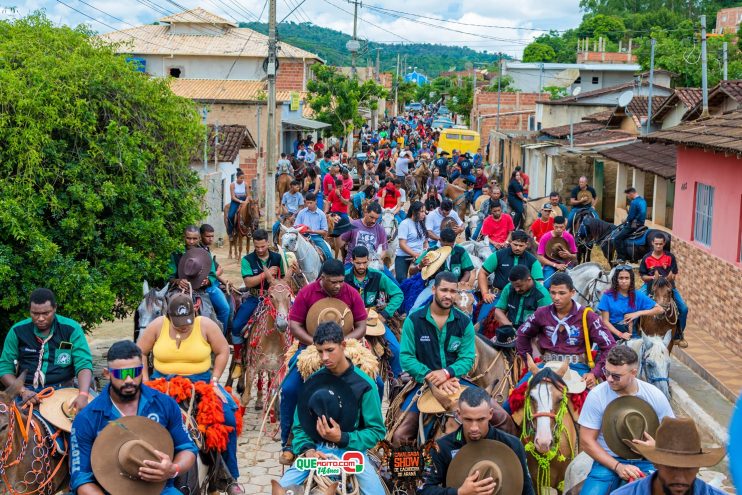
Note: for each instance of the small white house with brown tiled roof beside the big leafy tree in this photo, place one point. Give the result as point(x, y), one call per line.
point(227, 149)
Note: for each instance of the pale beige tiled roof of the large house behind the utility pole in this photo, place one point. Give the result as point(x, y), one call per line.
point(158, 40)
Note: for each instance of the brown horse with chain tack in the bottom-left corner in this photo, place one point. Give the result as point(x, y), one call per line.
point(29, 464)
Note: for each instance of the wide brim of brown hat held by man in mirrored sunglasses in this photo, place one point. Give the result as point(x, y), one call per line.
point(104, 454)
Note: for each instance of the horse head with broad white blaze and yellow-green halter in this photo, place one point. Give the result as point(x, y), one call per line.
point(546, 393)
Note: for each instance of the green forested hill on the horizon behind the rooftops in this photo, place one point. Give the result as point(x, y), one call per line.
point(430, 59)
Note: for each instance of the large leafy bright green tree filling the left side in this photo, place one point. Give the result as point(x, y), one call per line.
point(96, 184)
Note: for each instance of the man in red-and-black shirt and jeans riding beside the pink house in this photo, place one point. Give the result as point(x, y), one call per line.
point(661, 263)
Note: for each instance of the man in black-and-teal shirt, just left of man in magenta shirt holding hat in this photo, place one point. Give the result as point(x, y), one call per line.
point(501, 262)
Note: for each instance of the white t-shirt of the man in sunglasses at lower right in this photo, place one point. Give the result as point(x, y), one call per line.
point(602, 395)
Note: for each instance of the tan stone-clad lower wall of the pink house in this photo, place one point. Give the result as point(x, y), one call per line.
point(710, 286)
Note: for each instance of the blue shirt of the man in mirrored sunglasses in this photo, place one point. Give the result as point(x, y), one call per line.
point(96, 416)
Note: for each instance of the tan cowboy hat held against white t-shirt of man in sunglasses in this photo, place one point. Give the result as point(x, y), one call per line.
point(627, 418)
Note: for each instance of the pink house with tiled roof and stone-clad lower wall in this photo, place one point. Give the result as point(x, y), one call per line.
point(707, 221)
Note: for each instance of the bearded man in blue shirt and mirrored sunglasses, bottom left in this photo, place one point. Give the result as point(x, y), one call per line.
point(126, 396)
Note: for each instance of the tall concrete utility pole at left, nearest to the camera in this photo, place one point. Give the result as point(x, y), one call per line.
point(270, 177)
